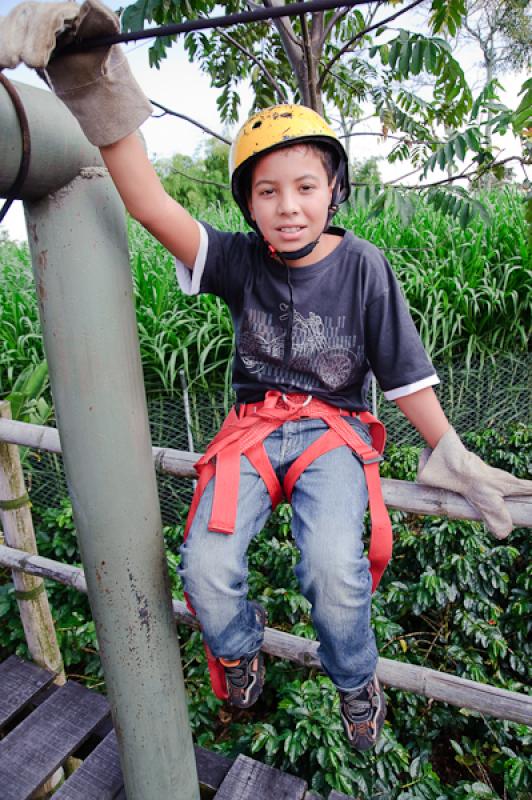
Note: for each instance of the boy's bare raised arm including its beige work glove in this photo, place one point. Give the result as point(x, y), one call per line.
point(99, 89)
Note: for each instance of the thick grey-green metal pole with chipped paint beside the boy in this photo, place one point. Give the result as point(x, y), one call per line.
point(79, 251)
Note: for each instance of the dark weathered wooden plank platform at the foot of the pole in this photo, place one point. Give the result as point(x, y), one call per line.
point(40, 734)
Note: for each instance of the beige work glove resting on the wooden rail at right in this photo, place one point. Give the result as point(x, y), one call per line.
point(451, 466)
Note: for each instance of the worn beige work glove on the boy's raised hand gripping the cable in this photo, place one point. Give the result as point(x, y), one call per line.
point(97, 86)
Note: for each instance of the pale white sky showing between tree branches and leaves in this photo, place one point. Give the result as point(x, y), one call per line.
point(182, 86)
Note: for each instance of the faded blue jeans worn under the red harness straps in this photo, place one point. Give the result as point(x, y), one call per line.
point(328, 503)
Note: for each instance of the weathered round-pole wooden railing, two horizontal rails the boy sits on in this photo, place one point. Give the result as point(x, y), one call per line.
point(403, 495)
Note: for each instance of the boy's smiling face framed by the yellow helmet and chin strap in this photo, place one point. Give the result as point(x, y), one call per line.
point(290, 198)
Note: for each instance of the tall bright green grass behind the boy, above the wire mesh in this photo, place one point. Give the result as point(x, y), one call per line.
point(469, 292)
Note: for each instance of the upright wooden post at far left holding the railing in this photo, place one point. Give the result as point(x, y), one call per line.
point(17, 524)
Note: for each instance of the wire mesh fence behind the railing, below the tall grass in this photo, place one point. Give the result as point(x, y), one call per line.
point(495, 393)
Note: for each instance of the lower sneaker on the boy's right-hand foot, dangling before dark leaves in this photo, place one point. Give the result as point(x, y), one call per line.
point(363, 713)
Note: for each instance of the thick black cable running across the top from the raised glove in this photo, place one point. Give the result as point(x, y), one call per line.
point(225, 21)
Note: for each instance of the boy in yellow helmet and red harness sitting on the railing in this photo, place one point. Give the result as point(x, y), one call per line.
point(315, 311)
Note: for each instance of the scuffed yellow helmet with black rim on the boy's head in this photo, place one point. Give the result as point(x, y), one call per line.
point(276, 127)
